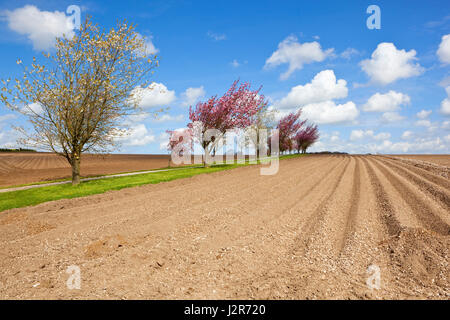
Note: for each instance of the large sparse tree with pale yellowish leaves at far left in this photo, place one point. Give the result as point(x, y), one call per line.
point(76, 100)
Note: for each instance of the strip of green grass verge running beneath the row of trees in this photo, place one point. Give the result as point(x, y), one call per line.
point(29, 197)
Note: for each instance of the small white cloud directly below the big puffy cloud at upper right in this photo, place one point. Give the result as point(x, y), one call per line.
point(390, 101)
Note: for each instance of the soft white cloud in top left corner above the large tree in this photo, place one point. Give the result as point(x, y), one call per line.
point(41, 27)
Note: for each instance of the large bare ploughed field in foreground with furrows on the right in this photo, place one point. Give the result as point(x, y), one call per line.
point(310, 231)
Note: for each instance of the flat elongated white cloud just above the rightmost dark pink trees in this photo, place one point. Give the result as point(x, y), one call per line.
point(327, 112)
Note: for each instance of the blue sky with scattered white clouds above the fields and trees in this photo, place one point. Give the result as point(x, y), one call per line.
point(370, 90)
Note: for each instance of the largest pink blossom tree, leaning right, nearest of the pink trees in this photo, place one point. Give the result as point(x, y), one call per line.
point(236, 109)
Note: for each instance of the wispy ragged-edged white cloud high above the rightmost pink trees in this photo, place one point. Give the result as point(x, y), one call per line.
point(296, 54)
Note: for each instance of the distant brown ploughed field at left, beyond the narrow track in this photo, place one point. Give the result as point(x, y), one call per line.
point(23, 168)
